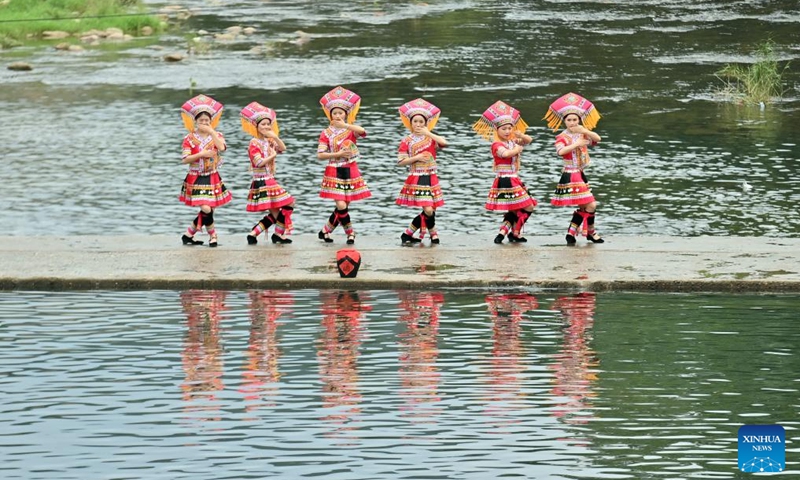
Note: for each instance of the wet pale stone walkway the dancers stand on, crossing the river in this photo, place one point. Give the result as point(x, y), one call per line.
point(622, 263)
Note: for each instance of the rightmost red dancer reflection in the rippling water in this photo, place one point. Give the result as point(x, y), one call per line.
point(574, 365)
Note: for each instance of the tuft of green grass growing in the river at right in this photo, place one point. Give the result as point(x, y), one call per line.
point(760, 82)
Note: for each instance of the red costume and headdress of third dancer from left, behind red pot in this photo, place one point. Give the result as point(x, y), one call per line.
point(342, 180)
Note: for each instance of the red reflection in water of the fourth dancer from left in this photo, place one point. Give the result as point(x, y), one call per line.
point(419, 376)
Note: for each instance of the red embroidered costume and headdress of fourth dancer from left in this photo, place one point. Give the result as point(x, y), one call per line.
point(421, 188)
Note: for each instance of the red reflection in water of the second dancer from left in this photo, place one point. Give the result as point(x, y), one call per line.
point(261, 373)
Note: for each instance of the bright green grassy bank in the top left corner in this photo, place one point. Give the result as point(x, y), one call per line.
point(22, 20)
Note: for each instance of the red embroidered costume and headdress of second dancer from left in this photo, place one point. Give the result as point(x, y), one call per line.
point(265, 192)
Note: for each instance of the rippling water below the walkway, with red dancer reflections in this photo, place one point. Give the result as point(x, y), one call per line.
point(390, 384)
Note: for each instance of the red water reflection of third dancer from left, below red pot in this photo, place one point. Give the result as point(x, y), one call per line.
point(338, 351)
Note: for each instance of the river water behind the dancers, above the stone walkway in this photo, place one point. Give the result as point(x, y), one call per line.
point(92, 139)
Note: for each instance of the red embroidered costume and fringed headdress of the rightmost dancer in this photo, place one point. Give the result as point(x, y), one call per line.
point(573, 188)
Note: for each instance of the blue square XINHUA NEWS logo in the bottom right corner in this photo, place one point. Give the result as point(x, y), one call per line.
point(762, 448)
